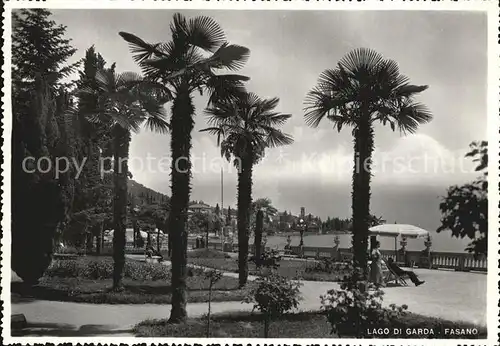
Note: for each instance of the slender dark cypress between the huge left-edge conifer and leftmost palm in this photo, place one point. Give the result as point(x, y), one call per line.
point(93, 189)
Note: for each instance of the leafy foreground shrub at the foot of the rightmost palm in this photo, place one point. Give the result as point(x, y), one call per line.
point(357, 307)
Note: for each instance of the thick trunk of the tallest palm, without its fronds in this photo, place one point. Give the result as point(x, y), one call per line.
point(182, 124)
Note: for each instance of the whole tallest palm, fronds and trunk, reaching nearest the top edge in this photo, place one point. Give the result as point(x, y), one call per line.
point(186, 64)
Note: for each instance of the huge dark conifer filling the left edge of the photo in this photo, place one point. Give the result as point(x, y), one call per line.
point(40, 201)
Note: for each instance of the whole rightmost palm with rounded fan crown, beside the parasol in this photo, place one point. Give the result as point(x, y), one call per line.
point(363, 89)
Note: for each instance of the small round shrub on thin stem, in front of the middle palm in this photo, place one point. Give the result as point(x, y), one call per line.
point(273, 295)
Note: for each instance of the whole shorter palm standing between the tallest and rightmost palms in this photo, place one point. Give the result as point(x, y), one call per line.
point(248, 125)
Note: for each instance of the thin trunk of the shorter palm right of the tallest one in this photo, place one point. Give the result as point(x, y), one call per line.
point(244, 204)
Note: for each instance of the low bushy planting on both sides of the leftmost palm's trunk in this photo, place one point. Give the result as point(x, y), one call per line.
point(102, 269)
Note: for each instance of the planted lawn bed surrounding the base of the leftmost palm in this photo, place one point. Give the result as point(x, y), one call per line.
point(89, 280)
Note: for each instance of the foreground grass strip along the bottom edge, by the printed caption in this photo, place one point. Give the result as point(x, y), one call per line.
point(299, 325)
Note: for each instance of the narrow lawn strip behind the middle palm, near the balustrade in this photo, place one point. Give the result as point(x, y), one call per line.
point(290, 268)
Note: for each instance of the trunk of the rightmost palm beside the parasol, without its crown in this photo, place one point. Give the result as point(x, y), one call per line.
point(363, 148)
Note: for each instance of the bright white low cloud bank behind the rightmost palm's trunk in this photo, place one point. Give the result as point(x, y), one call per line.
point(414, 160)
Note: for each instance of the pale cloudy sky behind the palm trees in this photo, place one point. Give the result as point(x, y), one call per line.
point(289, 49)
